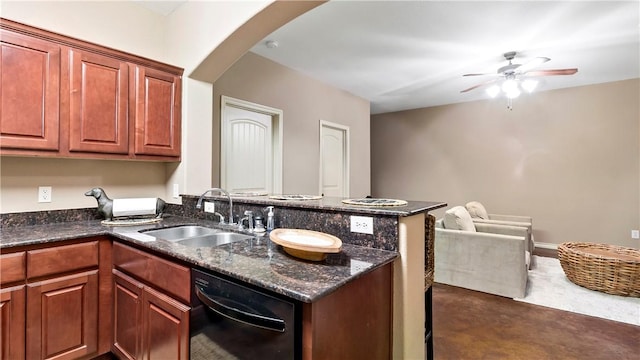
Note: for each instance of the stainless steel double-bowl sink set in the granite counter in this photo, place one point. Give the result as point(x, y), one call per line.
point(196, 236)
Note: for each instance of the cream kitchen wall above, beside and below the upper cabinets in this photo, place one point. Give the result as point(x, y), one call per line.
point(184, 39)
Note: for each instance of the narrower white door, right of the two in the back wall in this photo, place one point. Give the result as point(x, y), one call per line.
point(334, 159)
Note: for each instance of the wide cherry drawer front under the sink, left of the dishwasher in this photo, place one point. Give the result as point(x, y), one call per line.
point(157, 272)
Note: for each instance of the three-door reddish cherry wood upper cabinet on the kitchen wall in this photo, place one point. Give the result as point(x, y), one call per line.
point(66, 97)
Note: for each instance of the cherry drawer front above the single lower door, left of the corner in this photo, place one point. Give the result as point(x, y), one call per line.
point(62, 259)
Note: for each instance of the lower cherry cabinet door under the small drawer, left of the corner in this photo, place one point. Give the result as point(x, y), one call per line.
point(62, 317)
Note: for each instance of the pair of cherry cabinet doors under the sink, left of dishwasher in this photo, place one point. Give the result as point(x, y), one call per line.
point(148, 324)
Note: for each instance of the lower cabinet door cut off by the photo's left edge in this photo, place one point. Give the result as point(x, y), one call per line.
point(12, 323)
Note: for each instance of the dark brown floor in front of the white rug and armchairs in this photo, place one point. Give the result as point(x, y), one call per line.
point(473, 325)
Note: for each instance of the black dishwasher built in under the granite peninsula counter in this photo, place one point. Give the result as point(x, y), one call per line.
point(233, 321)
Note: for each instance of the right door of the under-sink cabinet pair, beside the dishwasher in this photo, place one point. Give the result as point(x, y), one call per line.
point(165, 327)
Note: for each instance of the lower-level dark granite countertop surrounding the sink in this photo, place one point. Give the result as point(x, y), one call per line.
point(257, 261)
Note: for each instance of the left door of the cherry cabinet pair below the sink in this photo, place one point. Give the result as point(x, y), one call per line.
point(127, 324)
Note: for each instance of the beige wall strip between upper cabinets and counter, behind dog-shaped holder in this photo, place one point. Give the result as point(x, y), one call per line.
point(71, 178)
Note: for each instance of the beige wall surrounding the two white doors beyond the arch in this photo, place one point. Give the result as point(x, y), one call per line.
point(305, 102)
